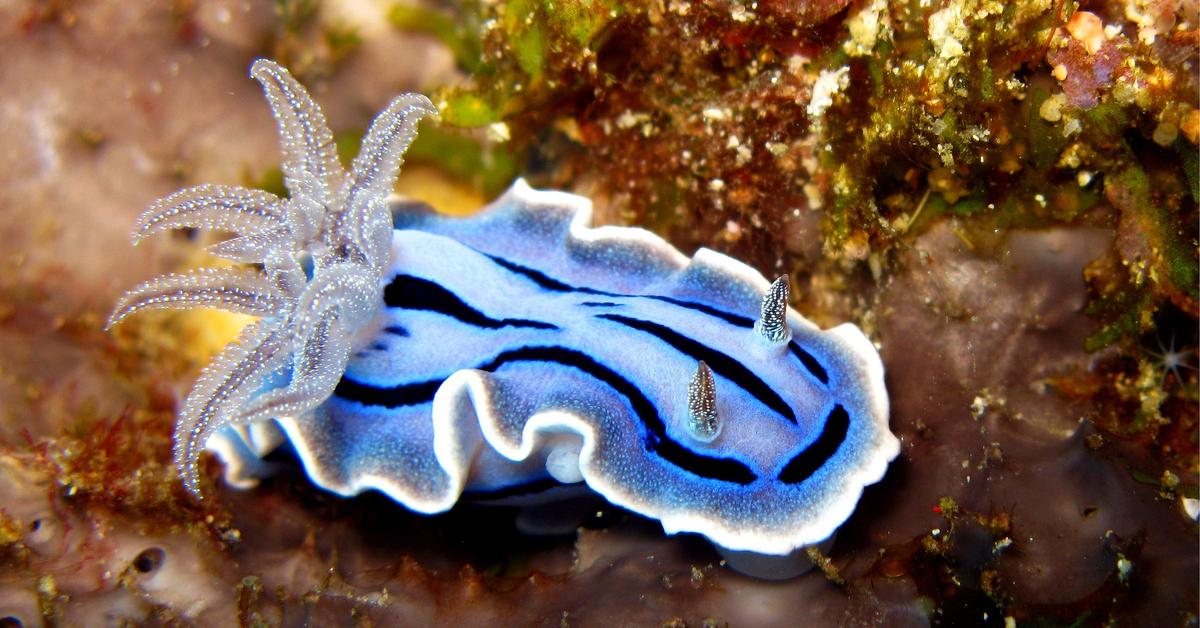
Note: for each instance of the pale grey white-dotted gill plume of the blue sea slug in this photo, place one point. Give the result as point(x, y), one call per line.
point(291, 360)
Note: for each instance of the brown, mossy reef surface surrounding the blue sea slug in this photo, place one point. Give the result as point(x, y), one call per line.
point(1004, 196)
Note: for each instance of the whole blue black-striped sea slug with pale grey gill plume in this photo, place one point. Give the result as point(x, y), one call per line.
point(433, 357)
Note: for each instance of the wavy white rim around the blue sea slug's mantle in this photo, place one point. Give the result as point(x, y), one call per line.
point(457, 434)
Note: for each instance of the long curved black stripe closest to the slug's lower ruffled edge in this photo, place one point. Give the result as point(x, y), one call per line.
point(658, 441)
